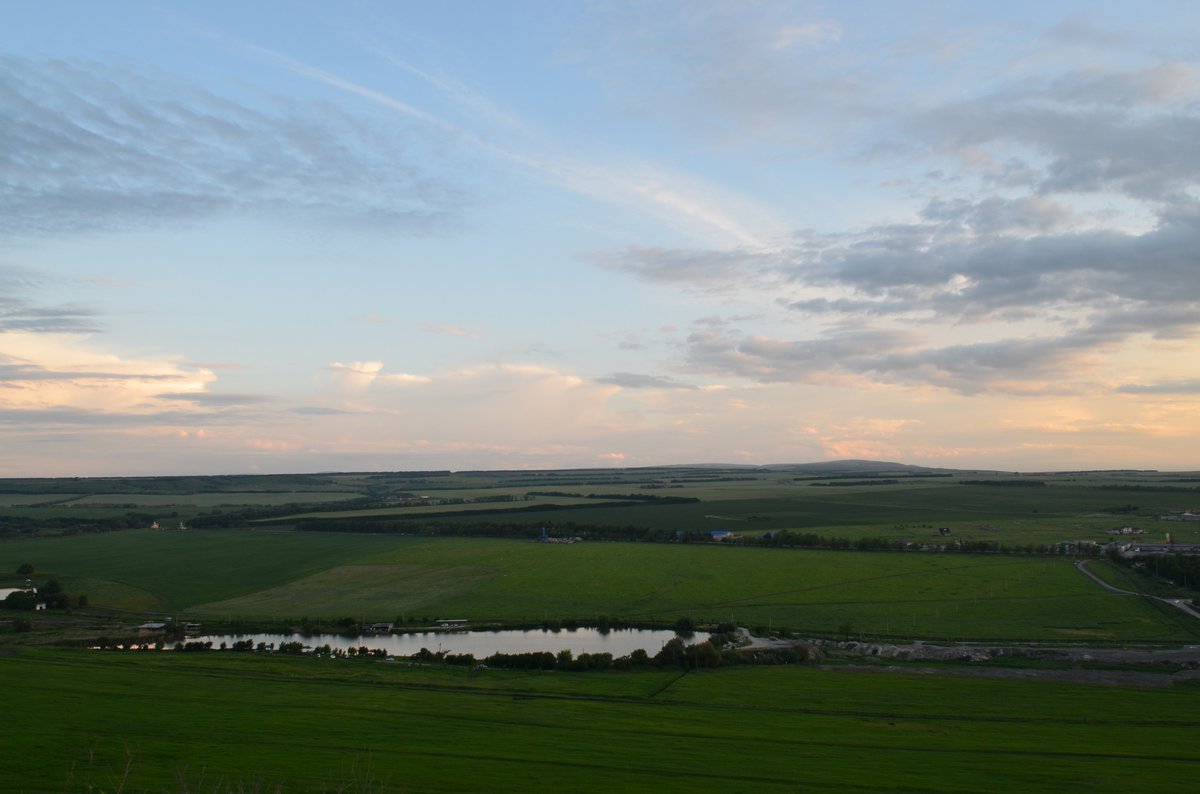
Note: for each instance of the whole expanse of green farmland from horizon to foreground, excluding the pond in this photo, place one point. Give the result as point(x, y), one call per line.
point(224, 723)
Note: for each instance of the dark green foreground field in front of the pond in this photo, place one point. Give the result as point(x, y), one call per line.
point(221, 723)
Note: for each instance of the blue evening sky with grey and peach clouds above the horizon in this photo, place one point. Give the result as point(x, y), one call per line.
point(315, 237)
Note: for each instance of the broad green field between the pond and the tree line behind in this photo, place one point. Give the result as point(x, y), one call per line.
point(286, 576)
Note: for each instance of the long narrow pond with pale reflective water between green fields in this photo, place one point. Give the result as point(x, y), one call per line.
point(482, 645)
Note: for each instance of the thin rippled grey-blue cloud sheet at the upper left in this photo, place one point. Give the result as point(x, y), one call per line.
point(95, 147)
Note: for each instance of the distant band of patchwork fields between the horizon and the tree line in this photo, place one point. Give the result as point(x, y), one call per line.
point(847, 501)
